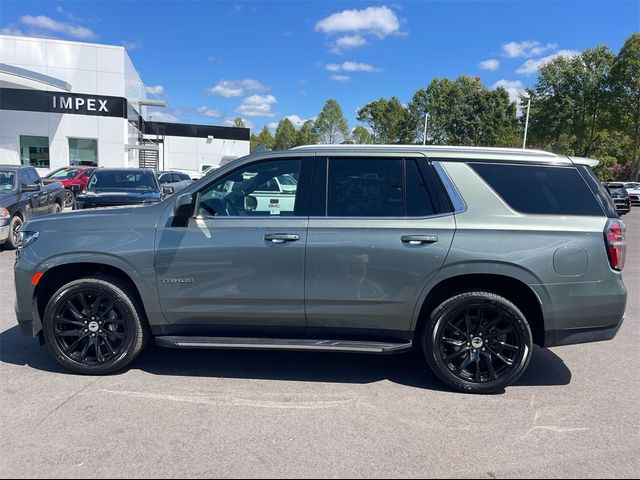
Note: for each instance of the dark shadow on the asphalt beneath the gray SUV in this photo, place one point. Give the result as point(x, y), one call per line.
point(545, 369)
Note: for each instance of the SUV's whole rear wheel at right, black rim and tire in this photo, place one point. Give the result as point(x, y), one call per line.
point(481, 353)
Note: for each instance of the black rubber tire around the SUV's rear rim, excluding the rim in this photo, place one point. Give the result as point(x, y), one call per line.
point(448, 310)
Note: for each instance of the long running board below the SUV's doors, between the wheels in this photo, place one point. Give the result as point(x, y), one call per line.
point(228, 343)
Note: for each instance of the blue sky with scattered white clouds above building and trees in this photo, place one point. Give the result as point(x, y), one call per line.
point(262, 61)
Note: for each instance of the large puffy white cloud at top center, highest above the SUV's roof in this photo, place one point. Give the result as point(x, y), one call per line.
point(378, 21)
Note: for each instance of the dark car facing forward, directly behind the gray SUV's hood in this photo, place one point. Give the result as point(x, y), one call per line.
point(111, 187)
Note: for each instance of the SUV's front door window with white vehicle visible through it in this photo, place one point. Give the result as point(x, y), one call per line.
point(253, 191)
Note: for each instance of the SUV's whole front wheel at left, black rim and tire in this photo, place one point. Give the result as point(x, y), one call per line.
point(89, 336)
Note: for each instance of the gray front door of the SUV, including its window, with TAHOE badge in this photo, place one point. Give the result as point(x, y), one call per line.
point(240, 262)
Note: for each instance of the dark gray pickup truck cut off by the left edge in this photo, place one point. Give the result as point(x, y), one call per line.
point(22, 197)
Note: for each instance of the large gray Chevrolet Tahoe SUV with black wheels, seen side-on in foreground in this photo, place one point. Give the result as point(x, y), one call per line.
point(469, 255)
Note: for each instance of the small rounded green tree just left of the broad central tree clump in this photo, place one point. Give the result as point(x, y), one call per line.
point(389, 121)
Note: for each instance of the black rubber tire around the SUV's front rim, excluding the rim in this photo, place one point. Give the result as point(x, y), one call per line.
point(120, 299)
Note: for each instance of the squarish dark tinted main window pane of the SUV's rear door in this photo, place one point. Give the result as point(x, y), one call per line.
point(362, 187)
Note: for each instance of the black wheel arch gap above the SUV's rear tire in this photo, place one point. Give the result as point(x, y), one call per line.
point(513, 289)
